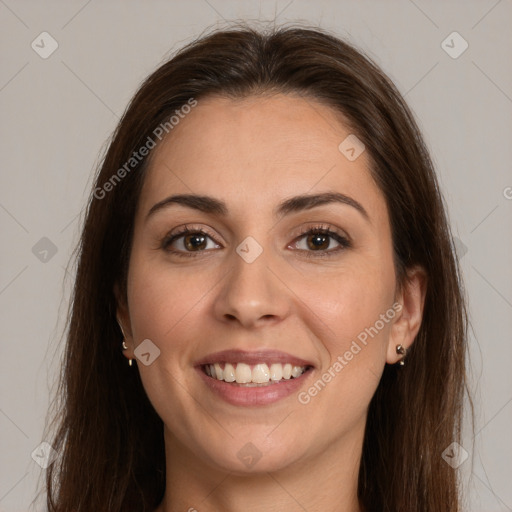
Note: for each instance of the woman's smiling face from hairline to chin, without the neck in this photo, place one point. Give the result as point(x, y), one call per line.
point(258, 289)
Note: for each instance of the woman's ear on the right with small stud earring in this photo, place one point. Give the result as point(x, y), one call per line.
point(408, 320)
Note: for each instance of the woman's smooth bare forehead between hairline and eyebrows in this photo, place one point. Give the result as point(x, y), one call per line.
point(254, 152)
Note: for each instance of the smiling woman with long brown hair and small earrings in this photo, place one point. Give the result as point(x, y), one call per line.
point(267, 246)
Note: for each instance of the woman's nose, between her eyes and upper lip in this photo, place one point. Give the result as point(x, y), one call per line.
point(252, 294)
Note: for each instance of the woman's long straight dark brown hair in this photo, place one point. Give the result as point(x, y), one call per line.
point(107, 434)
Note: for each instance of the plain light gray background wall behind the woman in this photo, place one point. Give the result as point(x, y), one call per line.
point(58, 112)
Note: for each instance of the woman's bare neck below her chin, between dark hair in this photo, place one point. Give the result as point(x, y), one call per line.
point(326, 482)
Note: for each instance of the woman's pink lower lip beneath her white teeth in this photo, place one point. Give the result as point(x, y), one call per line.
point(255, 395)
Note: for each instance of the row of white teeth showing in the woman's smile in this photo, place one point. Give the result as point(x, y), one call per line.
point(261, 374)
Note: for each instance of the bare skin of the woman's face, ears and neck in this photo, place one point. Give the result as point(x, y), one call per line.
point(252, 154)
